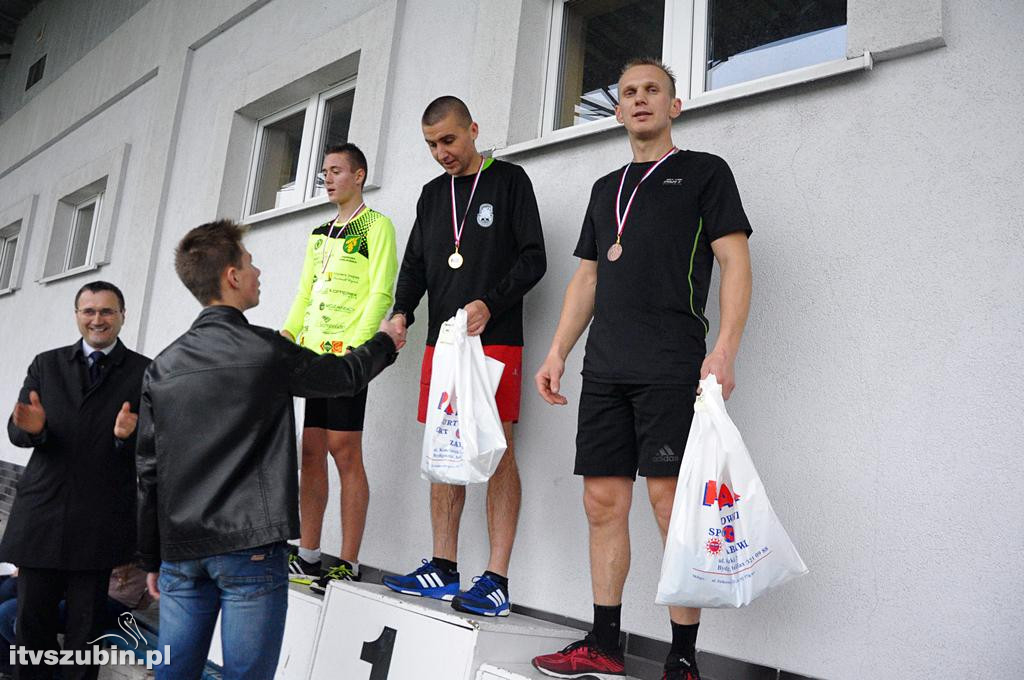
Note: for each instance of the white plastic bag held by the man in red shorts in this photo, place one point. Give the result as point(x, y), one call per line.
point(463, 442)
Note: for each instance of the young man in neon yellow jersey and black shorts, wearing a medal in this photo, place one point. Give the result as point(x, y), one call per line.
point(345, 292)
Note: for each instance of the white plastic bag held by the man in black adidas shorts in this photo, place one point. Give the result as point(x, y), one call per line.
point(726, 545)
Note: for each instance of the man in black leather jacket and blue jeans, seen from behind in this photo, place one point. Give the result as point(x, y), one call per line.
point(219, 492)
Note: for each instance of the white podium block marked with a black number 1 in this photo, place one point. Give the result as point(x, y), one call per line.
point(369, 632)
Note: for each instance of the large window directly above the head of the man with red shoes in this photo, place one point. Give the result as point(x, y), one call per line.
point(710, 45)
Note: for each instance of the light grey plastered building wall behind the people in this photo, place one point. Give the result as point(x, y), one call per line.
point(882, 362)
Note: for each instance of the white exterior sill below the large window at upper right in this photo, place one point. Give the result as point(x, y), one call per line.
point(731, 94)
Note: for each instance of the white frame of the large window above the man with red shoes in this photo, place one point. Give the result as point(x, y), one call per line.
point(685, 49)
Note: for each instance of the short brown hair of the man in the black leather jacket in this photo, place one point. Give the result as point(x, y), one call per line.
point(204, 254)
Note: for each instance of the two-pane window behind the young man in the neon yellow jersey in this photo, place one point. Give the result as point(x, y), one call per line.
point(290, 147)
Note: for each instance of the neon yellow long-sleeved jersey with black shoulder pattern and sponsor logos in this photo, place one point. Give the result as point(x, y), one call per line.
point(347, 286)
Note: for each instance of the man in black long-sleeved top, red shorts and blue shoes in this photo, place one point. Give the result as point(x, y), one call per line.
point(477, 245)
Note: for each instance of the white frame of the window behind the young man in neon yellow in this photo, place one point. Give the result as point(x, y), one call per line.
point(313, 136)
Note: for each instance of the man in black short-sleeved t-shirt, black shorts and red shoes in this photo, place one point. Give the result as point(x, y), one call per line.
point(650, 240)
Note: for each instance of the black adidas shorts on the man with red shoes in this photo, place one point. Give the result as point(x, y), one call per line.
point(624, 430)
